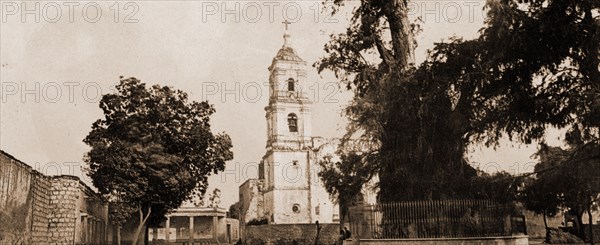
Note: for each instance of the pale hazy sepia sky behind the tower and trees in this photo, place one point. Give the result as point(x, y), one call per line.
point(55, 68)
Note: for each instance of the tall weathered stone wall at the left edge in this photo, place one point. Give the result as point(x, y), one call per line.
point(38, 209)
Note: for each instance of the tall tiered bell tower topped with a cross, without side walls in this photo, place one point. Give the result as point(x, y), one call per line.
point(285, 165)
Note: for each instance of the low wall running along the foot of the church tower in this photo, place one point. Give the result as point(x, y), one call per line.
point(288, 234)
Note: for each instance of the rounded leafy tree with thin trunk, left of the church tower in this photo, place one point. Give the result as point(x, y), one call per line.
point(153, 150)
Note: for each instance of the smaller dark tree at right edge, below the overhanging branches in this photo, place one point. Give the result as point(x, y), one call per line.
point(567, 178)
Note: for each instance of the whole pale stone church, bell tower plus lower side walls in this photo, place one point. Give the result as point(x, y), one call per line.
point(288, 190)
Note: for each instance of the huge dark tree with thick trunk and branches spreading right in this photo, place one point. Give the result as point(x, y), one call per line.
point(534, 66)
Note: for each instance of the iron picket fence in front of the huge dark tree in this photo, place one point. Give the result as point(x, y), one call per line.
point(436, 219)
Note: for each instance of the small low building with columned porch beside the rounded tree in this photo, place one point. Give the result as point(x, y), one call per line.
point(196, 225)
